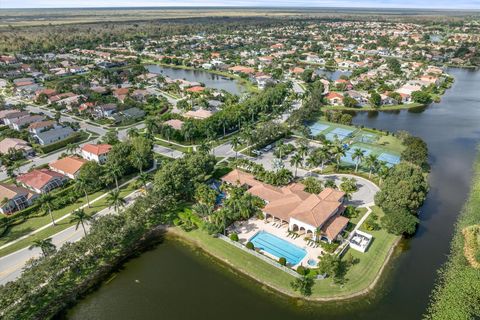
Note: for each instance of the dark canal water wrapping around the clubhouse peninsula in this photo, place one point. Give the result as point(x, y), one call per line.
point(175, 281)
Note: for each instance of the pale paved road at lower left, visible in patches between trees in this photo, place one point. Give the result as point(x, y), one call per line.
point(11, 265)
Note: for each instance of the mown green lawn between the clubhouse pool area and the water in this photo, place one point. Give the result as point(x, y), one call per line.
point(360, 276)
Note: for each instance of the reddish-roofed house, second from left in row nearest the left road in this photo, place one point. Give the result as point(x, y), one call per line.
point(41, 180)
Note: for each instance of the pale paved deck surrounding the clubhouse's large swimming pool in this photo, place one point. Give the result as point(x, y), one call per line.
point(247, 229)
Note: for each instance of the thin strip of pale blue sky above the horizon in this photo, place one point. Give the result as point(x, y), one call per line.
point(440, 4)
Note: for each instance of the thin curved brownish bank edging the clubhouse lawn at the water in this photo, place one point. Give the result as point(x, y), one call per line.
point(180, 235)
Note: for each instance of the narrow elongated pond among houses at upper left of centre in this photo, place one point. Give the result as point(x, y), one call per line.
point(209, 79)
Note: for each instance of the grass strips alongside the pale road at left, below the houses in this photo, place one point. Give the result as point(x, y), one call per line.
point(35, 223)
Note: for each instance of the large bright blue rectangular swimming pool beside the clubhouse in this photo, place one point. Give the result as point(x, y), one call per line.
point(278, 247)
